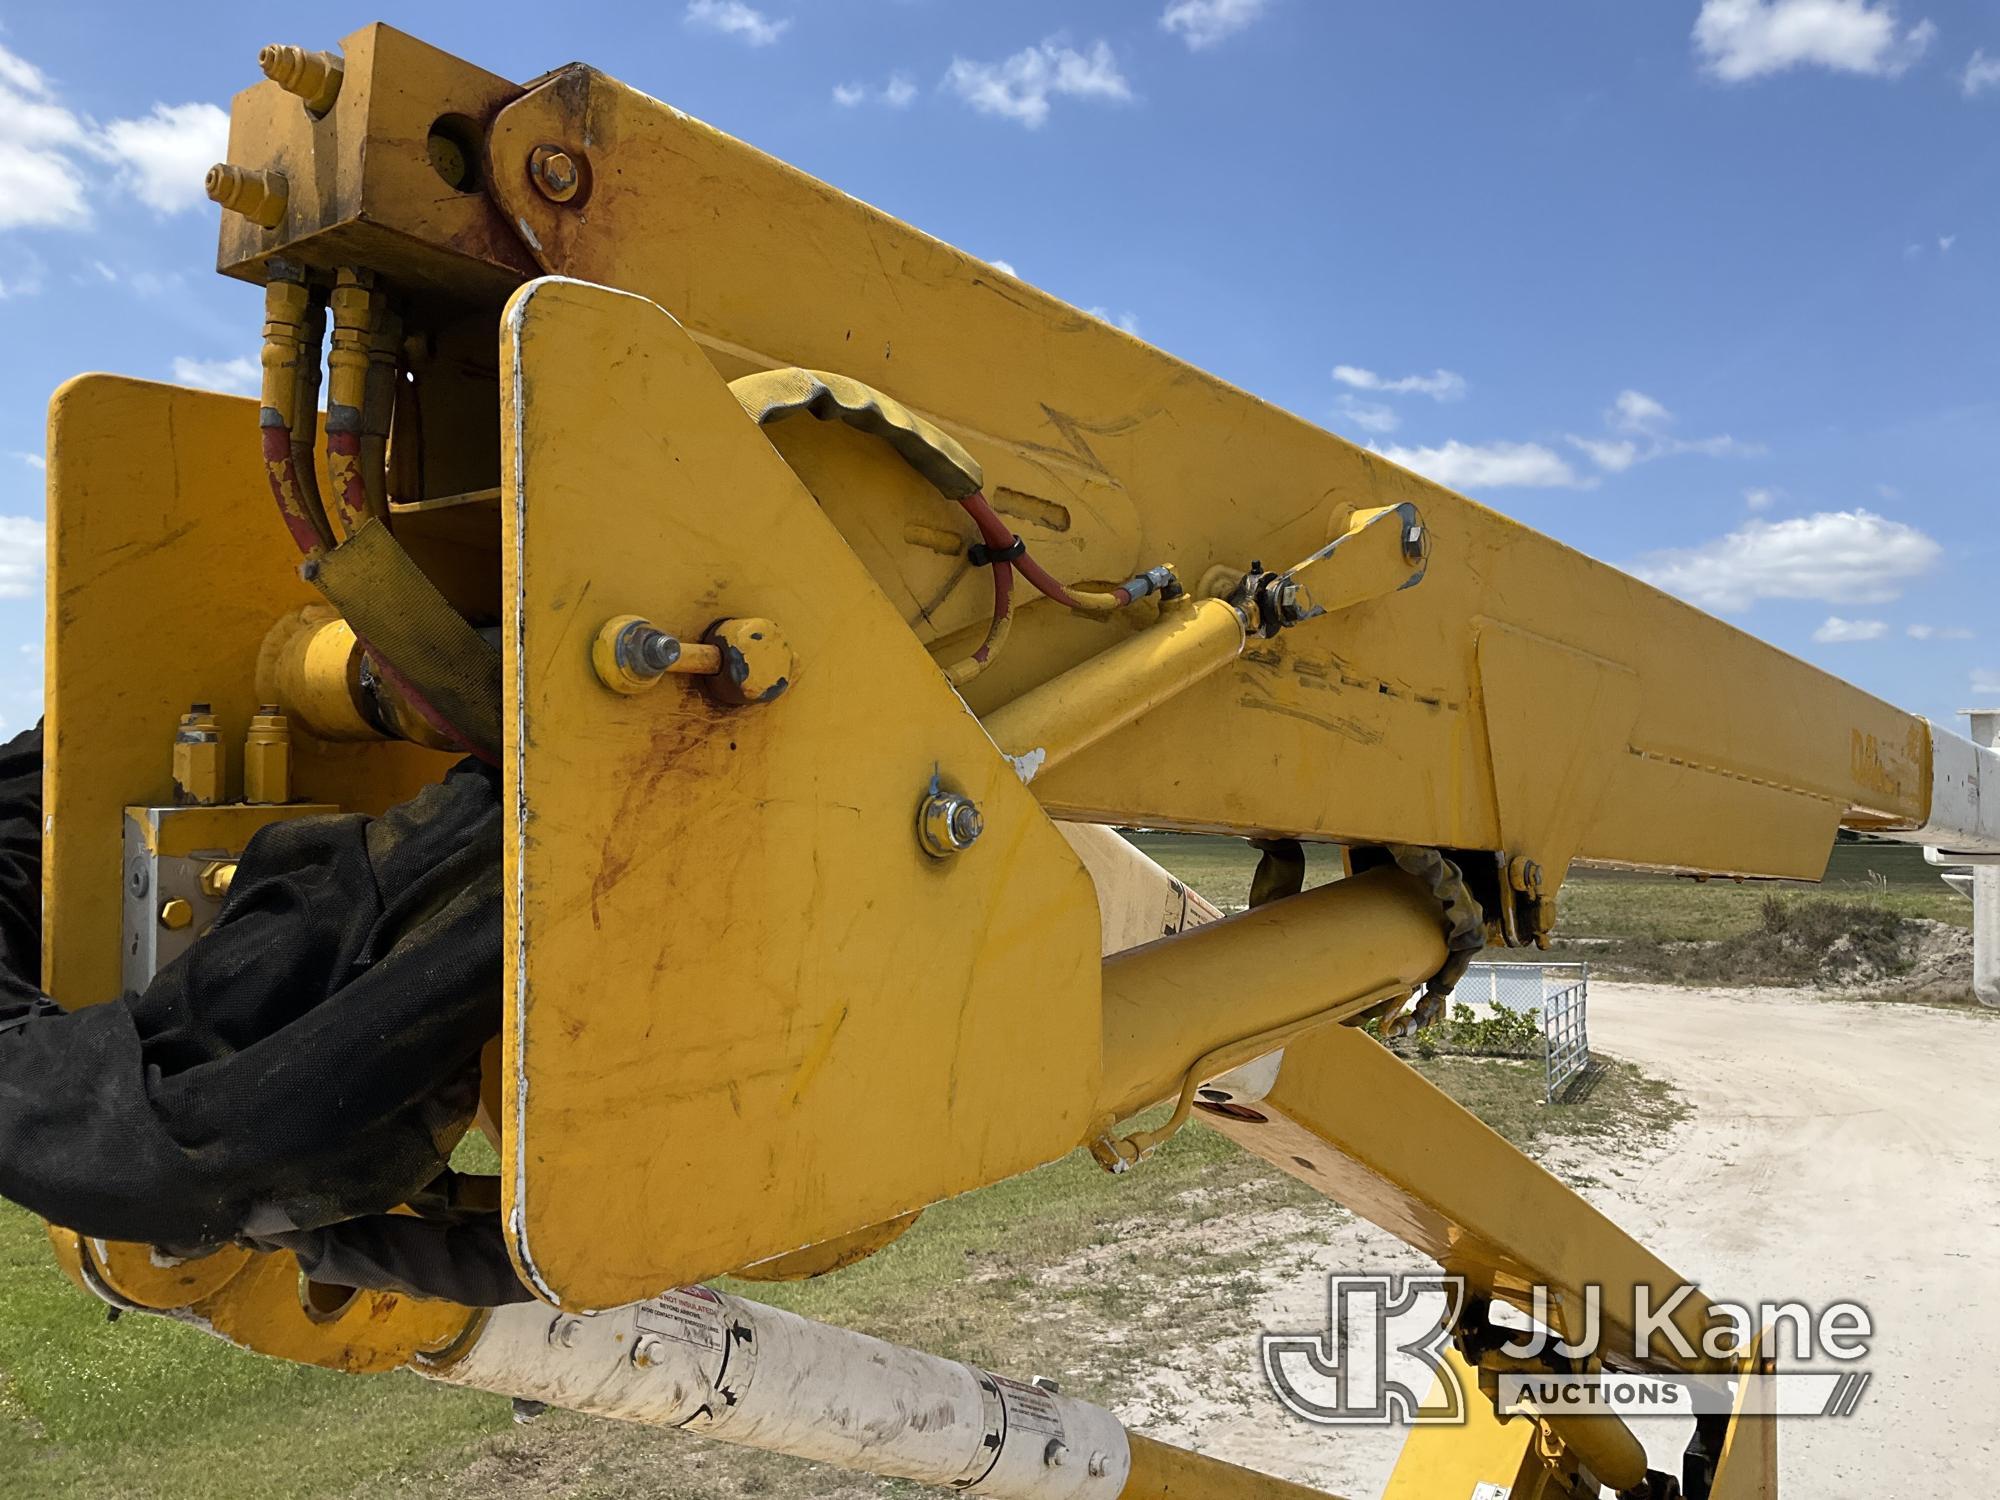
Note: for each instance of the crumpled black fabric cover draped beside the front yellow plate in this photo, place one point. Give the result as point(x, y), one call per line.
point(307, 1063)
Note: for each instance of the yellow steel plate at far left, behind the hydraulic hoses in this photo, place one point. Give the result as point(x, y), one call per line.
point(167, 567)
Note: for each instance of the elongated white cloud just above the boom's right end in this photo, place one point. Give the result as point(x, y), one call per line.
point(1839, 557)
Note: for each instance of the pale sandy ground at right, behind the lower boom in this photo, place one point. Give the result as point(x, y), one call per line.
point(1835, 1153)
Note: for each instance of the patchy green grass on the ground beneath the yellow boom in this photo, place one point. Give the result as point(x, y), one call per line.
point(147, 1409)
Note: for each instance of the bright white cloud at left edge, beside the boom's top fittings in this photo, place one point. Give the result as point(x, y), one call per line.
point(47, 153)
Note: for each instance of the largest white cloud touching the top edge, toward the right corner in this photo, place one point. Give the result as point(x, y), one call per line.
point(1755, 39)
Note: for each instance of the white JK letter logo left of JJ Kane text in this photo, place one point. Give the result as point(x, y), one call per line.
point(1383, 1351)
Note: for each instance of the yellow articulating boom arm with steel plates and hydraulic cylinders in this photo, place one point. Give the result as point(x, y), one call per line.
point(785, 713)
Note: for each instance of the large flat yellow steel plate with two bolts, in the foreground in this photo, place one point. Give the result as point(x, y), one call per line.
point(747, 1013)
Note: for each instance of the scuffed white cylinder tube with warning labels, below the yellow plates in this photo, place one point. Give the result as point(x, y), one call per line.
point(769, 1379)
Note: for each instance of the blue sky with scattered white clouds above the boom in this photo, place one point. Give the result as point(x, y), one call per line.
point(1705, 287)
